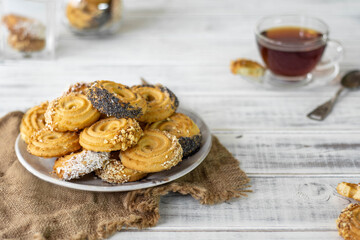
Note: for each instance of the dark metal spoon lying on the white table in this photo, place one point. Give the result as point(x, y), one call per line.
point(351, 80)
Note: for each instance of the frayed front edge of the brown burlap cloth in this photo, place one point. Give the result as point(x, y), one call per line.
point(134, 202)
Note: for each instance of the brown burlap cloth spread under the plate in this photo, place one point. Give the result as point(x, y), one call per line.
point(31, 208)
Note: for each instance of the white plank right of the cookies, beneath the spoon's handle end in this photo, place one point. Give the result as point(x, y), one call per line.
point(266, 113)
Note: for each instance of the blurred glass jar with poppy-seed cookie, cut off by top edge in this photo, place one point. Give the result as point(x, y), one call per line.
point(93, 17)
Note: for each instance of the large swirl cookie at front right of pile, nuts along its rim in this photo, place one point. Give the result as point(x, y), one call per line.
point(156, 151)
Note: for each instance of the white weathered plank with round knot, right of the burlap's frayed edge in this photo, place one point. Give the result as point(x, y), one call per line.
point(299, 203)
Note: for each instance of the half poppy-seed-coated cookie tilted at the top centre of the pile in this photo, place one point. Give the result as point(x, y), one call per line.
point(116, 100)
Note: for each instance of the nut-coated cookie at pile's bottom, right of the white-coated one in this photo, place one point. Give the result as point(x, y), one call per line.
point(113, 171)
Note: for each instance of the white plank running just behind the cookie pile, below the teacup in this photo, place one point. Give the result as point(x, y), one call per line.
point(189, 80)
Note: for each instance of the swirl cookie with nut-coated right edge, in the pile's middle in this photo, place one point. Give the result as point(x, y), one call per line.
point(111, 134)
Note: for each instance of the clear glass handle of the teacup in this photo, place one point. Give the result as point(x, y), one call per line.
point(334, 52)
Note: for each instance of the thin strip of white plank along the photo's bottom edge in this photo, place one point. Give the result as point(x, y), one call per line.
point(175, 235)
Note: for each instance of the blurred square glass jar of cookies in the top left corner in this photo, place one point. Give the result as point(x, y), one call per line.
point(28, 29)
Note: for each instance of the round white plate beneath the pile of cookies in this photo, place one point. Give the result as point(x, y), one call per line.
point(42, 167)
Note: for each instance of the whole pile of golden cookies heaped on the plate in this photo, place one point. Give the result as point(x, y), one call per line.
point(120, 133)
